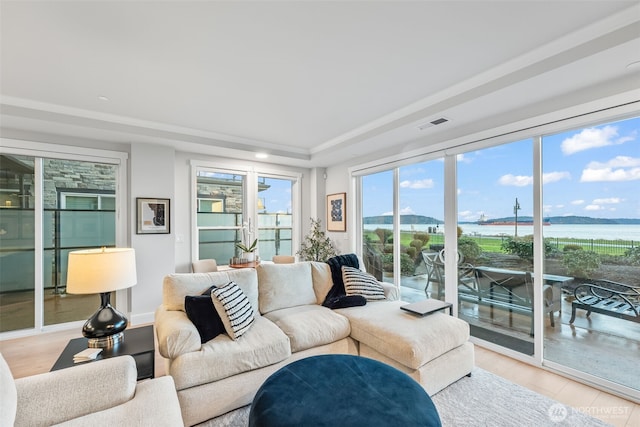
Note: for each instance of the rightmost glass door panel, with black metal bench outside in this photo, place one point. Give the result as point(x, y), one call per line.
point(592, 200)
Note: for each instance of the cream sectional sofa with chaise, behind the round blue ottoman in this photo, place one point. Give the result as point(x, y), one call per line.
point(221, 375)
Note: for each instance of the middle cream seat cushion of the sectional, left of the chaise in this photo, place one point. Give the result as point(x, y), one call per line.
point(310, 326)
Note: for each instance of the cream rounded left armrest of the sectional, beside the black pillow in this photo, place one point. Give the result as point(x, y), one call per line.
point(176, 333)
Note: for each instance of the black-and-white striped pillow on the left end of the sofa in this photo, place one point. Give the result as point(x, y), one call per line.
point(234, 309)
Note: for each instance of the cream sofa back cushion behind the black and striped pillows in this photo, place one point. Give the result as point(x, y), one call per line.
point(177, 286)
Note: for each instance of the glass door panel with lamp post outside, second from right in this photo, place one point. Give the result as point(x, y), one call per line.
point(495, 244)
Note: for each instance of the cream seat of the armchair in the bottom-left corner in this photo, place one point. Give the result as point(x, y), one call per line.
point(155, 404)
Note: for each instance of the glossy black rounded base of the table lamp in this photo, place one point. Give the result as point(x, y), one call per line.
point(105, 327)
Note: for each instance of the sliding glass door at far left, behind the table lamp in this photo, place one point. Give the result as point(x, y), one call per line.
point(51, 204)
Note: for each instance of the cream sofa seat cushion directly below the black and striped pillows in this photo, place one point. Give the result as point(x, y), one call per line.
point(262, 345)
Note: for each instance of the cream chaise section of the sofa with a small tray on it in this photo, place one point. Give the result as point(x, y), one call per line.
point(404, 337)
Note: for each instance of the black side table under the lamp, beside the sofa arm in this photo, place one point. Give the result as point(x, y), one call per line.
point(138, 343)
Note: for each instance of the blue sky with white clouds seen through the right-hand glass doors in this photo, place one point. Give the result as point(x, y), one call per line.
point(586, 172)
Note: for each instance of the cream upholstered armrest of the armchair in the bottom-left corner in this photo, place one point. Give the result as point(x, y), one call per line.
point(59, 396)
